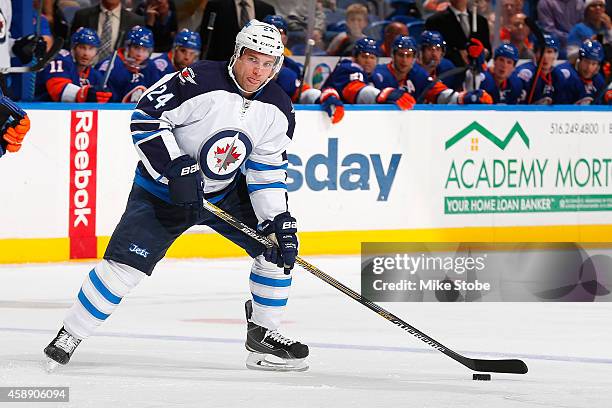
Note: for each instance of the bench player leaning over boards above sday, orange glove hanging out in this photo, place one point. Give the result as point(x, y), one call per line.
point(351, 79)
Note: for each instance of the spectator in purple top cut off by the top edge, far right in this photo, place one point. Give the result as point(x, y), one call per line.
point(557, 17)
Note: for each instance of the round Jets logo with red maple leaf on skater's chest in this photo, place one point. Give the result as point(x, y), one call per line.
point(222, 154)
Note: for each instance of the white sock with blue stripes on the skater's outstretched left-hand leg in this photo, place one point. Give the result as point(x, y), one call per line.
point(101, 292)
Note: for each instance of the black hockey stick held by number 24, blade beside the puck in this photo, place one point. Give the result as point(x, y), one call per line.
point(492, 366)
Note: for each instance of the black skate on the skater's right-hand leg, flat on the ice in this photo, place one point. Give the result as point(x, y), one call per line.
point(270, 350)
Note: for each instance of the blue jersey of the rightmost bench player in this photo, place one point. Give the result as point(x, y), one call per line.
point(574, 89)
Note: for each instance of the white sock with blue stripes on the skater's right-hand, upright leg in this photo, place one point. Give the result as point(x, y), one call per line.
point(270, 290)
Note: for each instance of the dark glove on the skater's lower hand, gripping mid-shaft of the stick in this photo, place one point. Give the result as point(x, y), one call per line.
point(282, 230)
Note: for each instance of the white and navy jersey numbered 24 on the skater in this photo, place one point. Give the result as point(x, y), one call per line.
point(200, 112)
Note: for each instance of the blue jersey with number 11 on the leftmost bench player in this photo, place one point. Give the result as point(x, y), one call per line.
point(50, 83)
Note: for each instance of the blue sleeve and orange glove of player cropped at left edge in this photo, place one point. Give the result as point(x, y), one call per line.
point(14, 124)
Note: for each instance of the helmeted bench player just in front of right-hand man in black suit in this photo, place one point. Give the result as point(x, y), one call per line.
point(431, 58)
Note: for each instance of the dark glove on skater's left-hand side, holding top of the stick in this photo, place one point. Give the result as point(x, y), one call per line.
point(186, 186)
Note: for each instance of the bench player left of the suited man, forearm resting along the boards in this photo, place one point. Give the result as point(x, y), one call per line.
point(402, 72)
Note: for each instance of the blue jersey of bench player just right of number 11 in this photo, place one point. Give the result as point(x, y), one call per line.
point(128, 86)
